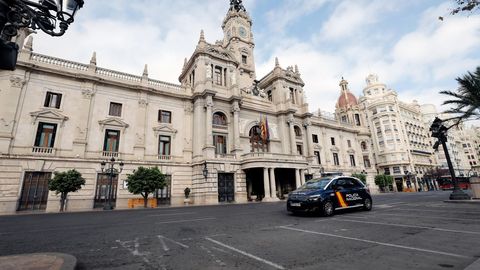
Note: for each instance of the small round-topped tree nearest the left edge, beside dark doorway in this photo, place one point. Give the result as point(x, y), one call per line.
point(64, 183)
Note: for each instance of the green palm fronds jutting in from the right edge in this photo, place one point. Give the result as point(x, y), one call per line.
point(466, 104)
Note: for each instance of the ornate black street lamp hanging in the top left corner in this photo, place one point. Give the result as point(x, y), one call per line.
point(51, 16)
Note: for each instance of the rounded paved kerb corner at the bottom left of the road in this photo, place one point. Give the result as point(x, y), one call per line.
point(38, 261)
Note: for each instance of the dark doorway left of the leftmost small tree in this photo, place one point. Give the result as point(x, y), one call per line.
point(34, 194)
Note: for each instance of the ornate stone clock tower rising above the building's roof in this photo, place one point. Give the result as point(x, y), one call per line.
point(238, 39)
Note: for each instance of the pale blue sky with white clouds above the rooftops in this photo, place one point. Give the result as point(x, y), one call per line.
point(402, 41)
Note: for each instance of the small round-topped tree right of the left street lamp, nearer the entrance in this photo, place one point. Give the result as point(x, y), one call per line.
point(144, 181)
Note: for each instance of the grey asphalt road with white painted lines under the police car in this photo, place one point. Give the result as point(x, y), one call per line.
point(403, 231)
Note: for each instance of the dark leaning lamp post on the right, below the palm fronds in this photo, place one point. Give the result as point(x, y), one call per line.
point(439, 131)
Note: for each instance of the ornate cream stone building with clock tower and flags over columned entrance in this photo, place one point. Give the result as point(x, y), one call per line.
point(224, 134)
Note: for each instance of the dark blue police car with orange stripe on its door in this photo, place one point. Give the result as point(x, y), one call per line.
point(327, 194)
